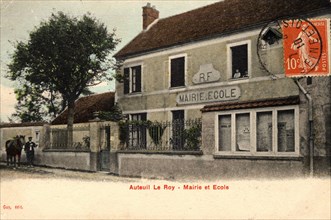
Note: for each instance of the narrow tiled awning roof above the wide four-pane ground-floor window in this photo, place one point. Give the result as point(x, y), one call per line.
point(291, 100)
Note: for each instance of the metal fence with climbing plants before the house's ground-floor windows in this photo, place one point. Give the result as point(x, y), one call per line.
point(178, 135)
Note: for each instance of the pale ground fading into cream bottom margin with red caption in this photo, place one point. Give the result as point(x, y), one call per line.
point(47, 193)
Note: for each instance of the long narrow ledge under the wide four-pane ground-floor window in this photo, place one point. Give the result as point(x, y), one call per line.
point(262, 157)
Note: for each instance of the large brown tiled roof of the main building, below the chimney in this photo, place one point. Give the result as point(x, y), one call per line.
point(217, 19)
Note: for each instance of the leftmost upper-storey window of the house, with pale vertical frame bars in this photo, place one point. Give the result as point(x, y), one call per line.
point(132, 79)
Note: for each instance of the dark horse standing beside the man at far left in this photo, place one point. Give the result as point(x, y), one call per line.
point(14, 149)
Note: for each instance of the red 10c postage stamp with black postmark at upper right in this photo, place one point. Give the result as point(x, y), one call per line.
point(306, 47)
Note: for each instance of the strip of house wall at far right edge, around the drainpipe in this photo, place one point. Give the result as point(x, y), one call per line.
point(320, 91)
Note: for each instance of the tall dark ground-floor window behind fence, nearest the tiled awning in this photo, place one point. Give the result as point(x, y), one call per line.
point(178, 126)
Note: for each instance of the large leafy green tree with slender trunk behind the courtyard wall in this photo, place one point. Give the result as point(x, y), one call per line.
point(64, 55)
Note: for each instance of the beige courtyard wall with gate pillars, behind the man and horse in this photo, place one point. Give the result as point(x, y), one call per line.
point(86, 159)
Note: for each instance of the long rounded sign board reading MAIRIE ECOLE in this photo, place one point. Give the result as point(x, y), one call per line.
point(209, 95)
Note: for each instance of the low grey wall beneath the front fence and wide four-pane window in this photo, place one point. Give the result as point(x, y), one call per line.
point(204, 167)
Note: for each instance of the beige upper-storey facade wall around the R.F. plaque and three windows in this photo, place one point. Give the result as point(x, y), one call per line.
point(158, 100)
